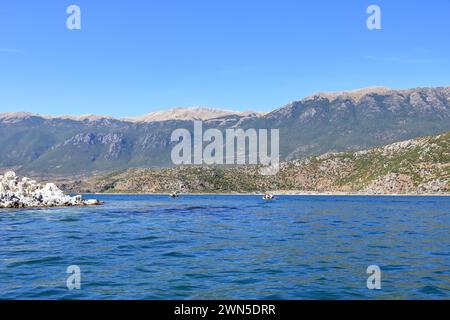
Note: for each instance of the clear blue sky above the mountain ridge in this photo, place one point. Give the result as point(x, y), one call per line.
point(133, 57)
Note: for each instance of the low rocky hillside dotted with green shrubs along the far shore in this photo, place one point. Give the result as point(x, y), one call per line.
point(414, 166)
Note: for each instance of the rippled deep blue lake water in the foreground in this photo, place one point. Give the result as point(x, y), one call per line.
point(229, 247)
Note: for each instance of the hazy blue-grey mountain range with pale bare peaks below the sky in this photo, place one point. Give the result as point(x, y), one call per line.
point(323, 122)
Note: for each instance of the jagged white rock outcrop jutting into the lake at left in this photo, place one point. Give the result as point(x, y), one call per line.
point(27, 193)
